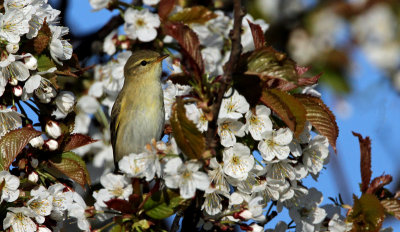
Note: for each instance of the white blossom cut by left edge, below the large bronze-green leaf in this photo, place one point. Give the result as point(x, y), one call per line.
point(10, 191)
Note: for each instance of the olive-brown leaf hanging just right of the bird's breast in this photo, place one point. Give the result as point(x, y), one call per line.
point(187, 136)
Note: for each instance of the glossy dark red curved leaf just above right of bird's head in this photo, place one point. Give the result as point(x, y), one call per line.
point(189, 43)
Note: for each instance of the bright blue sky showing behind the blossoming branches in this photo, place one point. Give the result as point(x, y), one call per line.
point(375, 111)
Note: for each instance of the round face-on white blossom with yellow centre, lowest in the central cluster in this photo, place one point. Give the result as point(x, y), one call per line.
point(238, 161)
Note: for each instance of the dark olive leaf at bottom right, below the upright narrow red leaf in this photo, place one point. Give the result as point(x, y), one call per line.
point(367, 214)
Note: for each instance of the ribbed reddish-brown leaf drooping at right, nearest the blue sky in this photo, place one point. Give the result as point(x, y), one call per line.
point(320, 117)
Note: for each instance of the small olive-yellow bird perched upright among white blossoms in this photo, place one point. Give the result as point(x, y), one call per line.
point(137, 116)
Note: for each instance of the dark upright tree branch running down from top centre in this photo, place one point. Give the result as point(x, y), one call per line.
point(230, 68)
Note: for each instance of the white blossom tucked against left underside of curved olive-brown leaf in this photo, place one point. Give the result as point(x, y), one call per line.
point(258, 123)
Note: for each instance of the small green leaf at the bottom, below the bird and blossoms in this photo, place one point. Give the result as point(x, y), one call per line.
point(156, 206)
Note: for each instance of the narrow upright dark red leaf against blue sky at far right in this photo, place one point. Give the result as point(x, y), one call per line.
point(365, 163)
